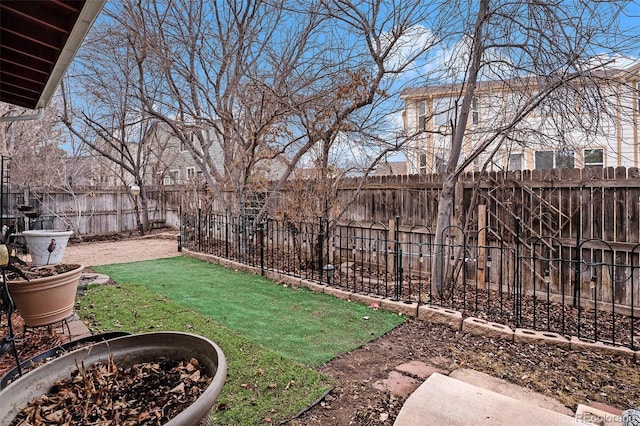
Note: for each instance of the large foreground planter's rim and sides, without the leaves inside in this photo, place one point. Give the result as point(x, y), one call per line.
point(126, 351)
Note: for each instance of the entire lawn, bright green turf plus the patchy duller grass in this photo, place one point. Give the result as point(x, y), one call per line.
point(267, 332)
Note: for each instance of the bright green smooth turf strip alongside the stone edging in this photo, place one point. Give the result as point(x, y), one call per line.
point(299, 324)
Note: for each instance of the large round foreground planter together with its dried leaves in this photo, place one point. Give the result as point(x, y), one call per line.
point(113, 400)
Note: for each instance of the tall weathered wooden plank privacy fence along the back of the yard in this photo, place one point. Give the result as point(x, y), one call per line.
point(568, 204)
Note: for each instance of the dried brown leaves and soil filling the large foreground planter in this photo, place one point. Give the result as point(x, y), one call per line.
point(106, 394)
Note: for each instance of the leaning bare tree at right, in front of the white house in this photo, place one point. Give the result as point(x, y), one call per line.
point(540, 52)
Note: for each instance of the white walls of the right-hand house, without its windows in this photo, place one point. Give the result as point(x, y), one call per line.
point(615, 134)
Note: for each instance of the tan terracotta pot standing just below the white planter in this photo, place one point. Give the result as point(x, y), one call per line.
point(47, 300)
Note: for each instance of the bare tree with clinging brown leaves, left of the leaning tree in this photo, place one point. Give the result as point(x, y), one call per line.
point(348, 121)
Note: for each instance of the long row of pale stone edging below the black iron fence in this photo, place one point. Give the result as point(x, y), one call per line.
point(427, 313)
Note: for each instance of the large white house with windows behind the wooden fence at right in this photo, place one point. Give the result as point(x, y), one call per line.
point(592, 134)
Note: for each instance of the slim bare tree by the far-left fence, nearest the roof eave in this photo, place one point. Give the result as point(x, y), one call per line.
point(102, 109)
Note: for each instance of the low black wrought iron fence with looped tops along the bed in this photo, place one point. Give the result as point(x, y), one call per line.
point(588, 289)
